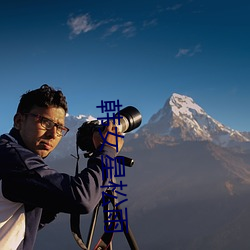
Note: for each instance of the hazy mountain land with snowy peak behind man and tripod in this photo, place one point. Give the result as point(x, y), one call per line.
point(189, 187)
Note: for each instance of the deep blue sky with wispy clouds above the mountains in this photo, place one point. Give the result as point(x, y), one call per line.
point(139, 52)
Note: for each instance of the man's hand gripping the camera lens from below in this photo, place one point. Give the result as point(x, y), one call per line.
point(112, 140)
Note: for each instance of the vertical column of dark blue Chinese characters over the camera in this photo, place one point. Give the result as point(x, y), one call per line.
point(116, 219)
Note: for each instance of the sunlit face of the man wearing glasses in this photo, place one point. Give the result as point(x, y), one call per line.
point(35, 137)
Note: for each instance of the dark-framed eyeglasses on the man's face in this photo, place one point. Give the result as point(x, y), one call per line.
point(49, 124)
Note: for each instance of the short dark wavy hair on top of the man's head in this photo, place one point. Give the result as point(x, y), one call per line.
point(45, 97)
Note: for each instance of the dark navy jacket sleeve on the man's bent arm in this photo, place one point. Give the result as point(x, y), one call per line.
point(27, 179)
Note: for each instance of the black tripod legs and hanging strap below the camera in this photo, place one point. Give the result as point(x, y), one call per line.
point(105, 242)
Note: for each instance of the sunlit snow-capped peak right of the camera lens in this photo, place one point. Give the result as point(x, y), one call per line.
point(182, 119)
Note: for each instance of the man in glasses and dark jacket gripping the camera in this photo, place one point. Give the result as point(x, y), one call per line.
point(30, 192)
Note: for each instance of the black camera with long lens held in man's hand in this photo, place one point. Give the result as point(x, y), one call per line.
point(126, 120)
